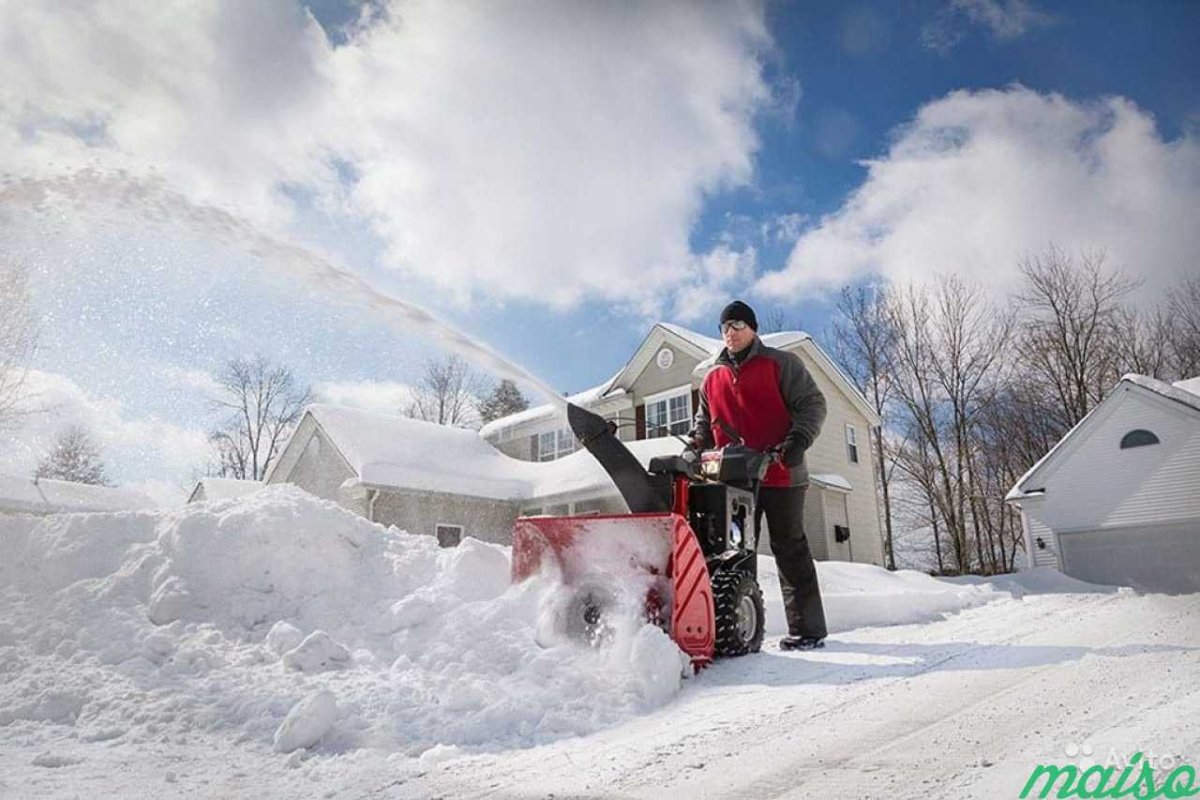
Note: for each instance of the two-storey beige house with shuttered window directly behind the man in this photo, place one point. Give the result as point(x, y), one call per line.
point(655, 395)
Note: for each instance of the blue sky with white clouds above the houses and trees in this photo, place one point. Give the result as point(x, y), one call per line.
point(554, 179)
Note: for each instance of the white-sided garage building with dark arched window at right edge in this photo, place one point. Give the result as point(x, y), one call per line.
point(1118, 500)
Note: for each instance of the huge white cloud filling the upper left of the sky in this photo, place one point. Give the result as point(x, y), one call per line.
point(526, 151)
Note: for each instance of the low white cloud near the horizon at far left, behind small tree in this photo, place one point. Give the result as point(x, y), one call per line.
point(136, 450)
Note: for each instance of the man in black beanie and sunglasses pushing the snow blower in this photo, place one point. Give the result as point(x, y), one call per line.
point(769, 400)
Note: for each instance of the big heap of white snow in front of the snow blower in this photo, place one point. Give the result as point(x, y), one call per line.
point(287, 622)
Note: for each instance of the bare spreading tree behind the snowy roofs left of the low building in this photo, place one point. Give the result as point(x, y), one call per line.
point(262, 404)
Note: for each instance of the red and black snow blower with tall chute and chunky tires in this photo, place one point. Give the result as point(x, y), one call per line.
point(688, 545)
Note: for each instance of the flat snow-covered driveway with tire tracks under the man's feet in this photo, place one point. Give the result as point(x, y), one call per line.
point(961, 708)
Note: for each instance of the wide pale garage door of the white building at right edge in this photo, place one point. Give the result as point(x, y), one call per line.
point(1160, 558)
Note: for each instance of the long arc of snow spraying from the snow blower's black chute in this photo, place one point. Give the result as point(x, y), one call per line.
point(153, 202)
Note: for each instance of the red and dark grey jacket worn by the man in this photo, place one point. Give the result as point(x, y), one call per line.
point(769, 400)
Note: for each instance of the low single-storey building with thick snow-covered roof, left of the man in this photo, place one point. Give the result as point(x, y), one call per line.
point(437, 480)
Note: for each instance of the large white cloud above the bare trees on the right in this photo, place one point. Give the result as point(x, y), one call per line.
point(980, 179)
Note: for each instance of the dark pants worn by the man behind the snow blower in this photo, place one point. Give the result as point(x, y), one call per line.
point(784, 508)
